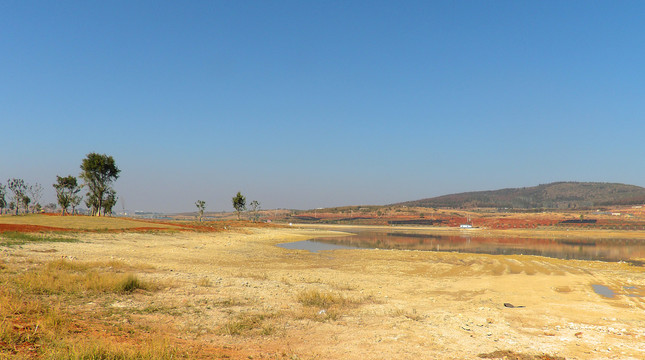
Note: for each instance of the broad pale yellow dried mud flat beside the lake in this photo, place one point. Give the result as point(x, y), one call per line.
point(238, 292)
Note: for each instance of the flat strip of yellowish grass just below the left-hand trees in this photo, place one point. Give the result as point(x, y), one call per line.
point(81, 222)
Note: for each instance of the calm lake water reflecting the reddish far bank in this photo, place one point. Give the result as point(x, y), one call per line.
point(582, 249)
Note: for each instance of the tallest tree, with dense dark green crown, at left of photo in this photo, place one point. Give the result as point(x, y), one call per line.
point(99, 171)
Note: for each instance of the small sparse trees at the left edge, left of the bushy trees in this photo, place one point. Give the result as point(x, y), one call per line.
point(20, 197)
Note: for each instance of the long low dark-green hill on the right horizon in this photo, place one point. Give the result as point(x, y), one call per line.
point(558, 195)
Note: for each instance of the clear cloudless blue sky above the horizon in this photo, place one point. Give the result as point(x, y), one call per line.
point(305, 104)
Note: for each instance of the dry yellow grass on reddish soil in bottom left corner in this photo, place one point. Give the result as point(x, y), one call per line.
point(36, 324)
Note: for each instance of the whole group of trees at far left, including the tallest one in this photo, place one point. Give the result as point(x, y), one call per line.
point(98, 173)
